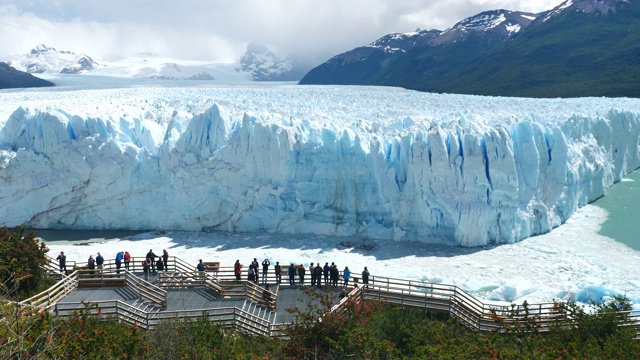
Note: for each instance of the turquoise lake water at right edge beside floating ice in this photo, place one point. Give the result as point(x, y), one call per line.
point(622, 201)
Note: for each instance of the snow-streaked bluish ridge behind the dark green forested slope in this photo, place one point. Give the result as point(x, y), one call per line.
point(470, 37)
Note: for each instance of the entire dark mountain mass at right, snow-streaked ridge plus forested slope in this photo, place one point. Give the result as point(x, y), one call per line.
point(579, 48)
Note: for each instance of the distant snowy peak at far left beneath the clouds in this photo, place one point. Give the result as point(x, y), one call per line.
point(44, 59)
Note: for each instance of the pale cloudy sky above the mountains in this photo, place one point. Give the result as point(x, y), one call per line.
point(219, 30)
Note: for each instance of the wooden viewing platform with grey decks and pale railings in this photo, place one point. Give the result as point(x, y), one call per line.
point(184, 293)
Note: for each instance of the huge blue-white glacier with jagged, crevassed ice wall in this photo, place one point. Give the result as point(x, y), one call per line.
point(377, 163)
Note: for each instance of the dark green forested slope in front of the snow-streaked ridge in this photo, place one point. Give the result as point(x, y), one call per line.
point(573, 53)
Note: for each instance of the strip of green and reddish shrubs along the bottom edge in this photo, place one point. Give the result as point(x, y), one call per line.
point(360, 330)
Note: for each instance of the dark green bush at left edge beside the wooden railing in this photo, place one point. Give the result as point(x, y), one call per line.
point(22, 262)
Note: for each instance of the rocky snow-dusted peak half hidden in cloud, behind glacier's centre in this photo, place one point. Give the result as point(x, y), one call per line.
point(264, 65)
